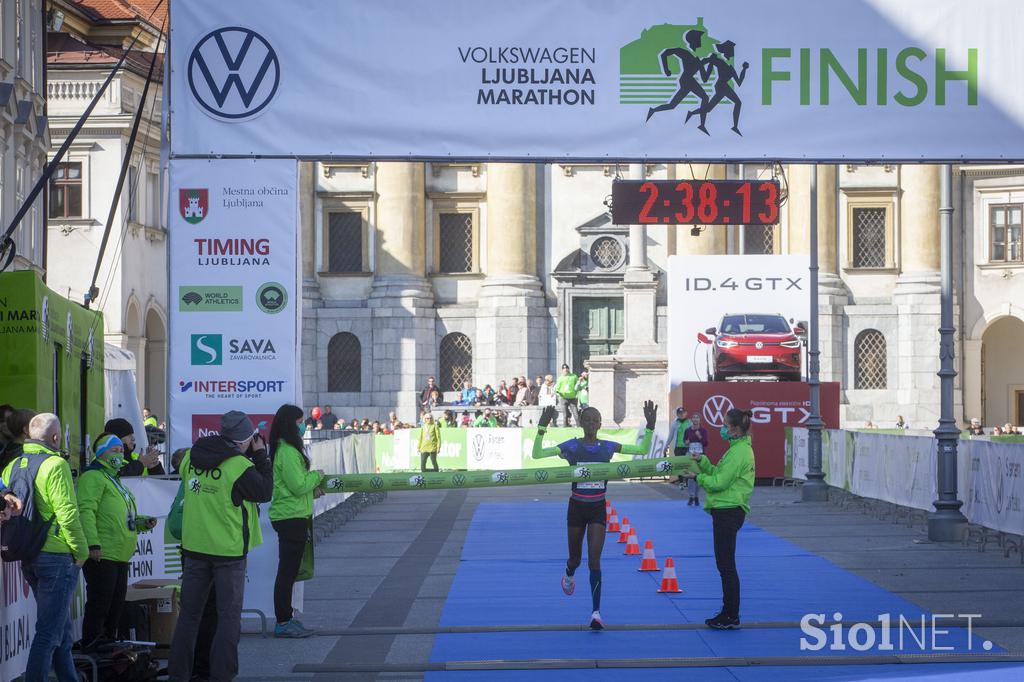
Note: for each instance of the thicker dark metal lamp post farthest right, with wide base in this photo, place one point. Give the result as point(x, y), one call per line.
point(947, 524)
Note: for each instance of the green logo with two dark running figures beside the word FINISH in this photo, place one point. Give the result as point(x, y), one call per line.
point(672, 65)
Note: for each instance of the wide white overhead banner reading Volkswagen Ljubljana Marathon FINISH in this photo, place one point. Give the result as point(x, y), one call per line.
point(600, 79)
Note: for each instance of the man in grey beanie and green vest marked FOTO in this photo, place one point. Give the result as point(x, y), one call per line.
point(225, 477)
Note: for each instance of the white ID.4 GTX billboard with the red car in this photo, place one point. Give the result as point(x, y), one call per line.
point(753, 303)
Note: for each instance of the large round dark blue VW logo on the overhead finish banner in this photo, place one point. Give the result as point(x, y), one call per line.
point(234, 73)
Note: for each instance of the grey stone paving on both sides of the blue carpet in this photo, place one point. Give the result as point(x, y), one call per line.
point(393, 567)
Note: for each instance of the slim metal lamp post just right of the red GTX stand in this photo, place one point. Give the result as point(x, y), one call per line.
point(816, 489)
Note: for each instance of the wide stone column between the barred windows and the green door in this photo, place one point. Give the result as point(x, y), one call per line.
point(511, 328)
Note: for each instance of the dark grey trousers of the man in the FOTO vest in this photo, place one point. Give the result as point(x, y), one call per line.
point(230, 578)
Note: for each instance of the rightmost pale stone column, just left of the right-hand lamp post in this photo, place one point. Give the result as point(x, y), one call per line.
point(918, 295)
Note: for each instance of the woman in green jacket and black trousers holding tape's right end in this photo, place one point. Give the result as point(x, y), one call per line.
point(729, 486)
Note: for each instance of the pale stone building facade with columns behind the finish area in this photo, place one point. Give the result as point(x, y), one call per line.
point(486, 272)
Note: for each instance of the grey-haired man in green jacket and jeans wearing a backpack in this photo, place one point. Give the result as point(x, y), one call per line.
point(54, 573)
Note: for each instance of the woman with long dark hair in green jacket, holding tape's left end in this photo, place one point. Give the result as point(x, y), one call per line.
point(291, 513)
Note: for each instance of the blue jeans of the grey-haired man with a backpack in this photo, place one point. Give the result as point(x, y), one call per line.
point(53, 579)
